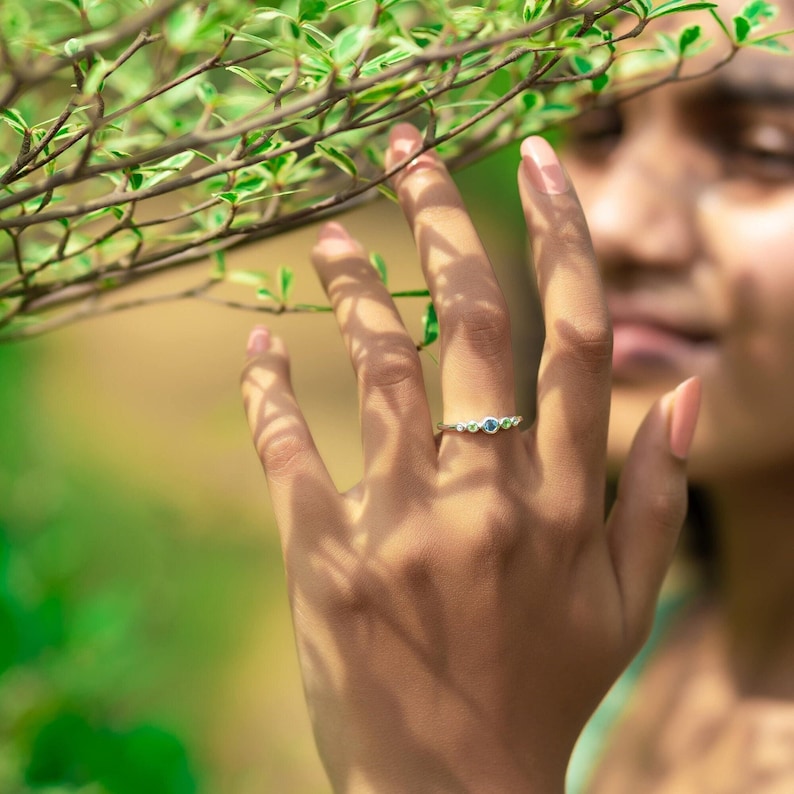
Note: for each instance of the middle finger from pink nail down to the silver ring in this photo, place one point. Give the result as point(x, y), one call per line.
point(474, 326)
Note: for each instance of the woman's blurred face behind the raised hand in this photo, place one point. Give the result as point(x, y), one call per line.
point(689, 192)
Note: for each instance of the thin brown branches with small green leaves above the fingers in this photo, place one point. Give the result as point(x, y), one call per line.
point(140, 135)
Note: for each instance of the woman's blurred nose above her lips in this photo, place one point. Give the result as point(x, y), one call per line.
point(642, 210)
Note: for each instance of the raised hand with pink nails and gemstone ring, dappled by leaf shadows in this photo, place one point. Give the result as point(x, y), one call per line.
point(461, 611)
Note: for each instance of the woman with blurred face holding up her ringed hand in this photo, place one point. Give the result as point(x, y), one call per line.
point(460, 613)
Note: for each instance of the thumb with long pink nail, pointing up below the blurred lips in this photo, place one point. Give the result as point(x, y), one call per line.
point(645, 521)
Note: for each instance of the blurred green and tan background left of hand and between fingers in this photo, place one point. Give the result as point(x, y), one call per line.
point(145, 640)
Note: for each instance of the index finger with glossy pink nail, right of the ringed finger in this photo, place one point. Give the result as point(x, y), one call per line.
point(575, 369)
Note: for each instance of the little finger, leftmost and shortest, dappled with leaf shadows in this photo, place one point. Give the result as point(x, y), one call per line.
point(300, 486)
